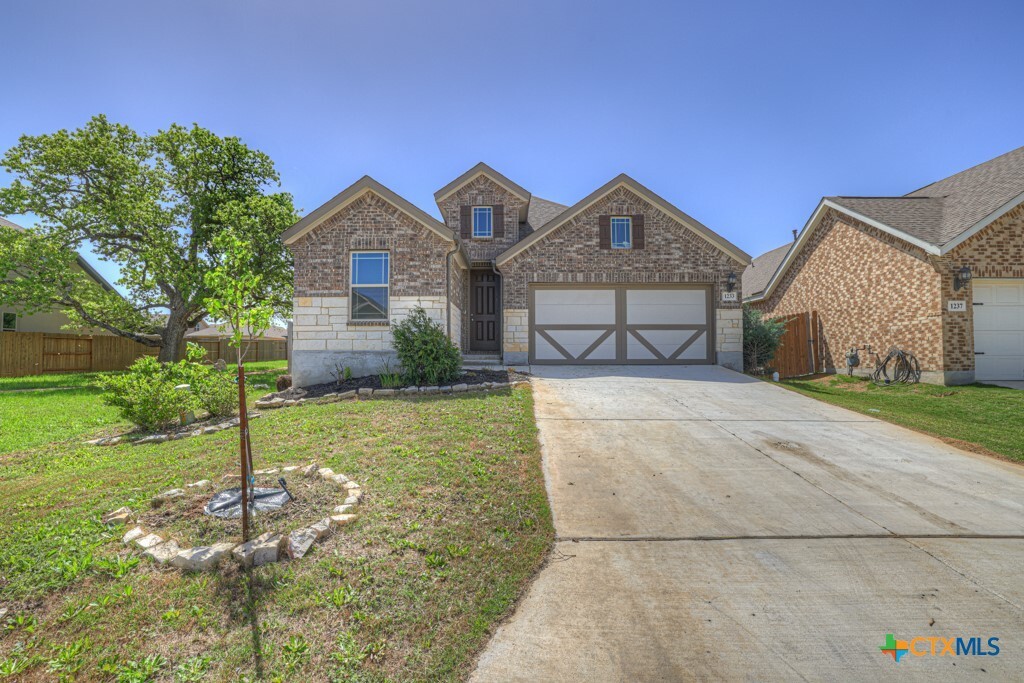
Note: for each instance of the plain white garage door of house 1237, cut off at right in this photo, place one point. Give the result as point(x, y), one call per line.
point(999, 329)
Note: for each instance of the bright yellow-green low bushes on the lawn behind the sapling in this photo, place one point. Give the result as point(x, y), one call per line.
point(147, 396)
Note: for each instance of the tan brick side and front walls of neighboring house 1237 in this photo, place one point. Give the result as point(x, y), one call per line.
point(872, 288)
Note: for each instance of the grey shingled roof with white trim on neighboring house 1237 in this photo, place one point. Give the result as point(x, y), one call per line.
point(938, 218)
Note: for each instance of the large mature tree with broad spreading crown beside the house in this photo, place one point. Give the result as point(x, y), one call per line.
point(152, 204)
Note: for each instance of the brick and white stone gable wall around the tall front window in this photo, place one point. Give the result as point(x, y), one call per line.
point(324, 339)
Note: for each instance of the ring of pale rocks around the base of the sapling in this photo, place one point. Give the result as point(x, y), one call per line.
point(270, 547)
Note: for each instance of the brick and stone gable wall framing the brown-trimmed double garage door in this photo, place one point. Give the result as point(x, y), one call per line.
point(673, 254)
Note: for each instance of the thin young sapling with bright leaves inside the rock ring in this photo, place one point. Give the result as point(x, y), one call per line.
point(239, 298)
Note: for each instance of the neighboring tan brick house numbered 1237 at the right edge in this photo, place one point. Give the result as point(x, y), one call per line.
point(938, 273)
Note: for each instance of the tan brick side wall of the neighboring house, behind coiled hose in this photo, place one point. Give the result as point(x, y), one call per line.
point(868, 288)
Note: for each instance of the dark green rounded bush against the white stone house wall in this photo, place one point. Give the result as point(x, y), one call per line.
point(426, 355)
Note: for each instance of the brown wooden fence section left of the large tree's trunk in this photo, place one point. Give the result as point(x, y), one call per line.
point(38, 353)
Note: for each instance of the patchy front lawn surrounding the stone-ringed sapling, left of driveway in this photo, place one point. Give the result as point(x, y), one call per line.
point(454, 525)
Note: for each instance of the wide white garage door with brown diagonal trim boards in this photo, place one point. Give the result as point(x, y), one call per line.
point(629, 324)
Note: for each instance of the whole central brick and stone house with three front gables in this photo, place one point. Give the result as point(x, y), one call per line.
point(622, 277)
